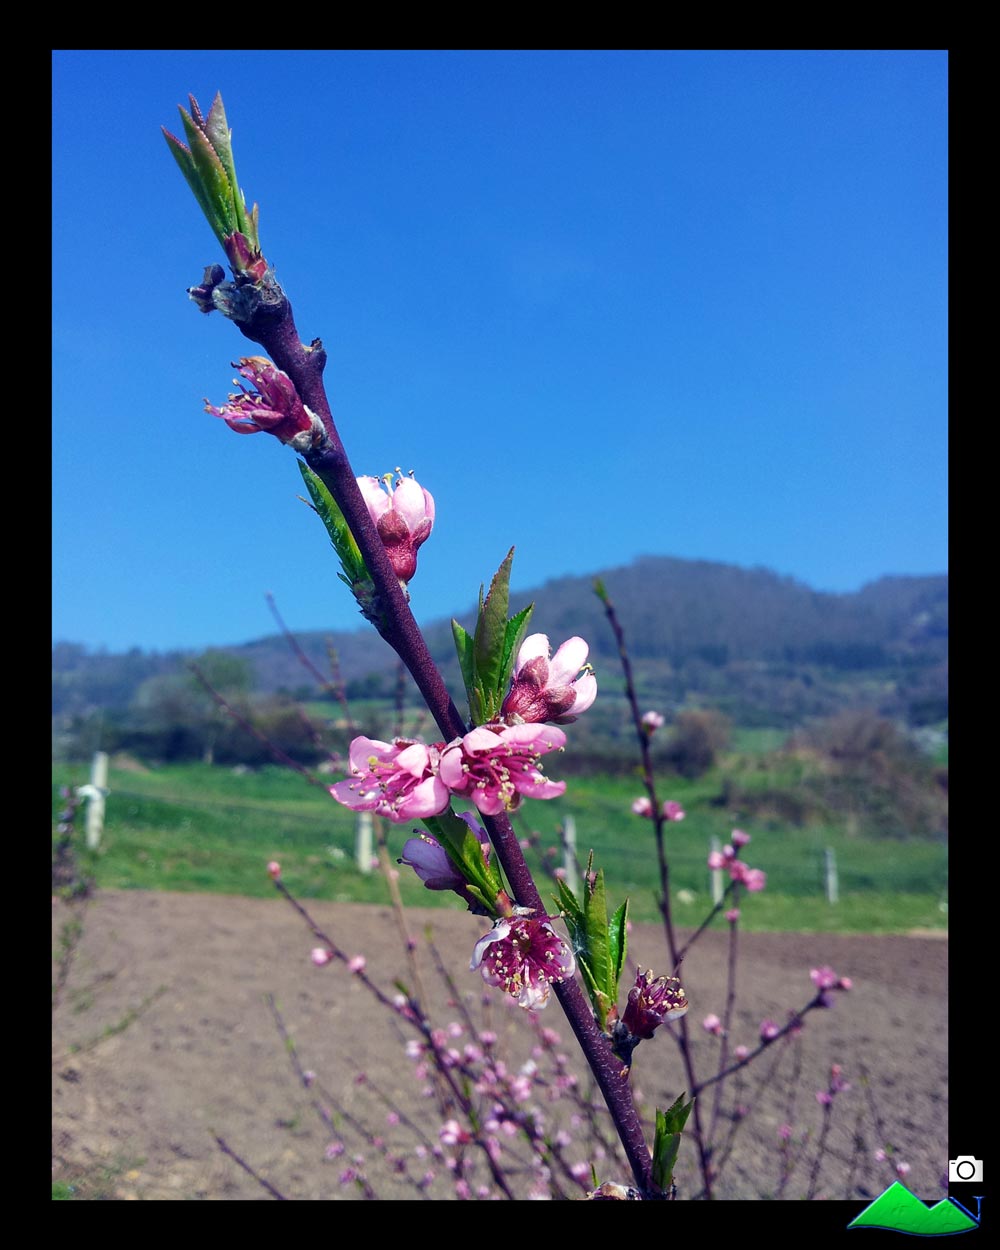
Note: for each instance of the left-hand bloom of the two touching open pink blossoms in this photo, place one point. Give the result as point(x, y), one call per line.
point(398, 782)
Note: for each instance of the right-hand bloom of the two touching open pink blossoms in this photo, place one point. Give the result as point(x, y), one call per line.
point(496, 768)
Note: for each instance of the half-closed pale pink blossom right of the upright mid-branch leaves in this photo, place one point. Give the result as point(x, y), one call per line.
point(544, 689)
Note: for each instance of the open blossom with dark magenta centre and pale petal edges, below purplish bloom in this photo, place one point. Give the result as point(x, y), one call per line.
point(524, 957)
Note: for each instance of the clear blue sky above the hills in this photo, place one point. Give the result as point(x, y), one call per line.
point(604, 303)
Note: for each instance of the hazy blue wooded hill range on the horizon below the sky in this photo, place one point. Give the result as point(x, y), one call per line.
point(764, 649)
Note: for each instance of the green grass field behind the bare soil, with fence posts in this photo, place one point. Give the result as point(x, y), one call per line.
point(208, 829)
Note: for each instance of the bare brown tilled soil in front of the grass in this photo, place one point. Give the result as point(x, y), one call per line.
point(163, 1042)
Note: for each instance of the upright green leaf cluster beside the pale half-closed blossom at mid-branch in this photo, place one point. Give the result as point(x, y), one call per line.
point(487, 658)
